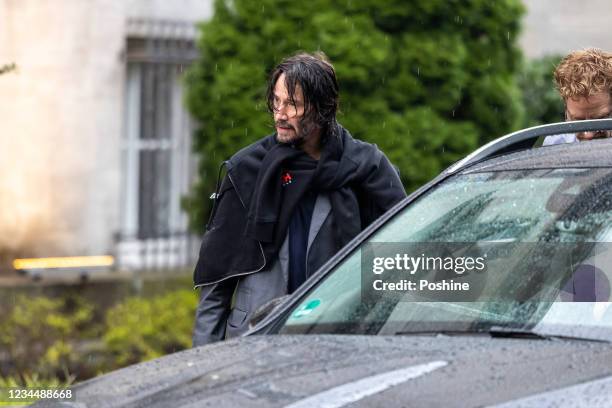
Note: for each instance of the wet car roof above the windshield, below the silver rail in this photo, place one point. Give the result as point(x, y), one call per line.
point(591, 154)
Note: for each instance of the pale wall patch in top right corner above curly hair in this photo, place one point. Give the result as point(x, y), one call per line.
point(560, 26)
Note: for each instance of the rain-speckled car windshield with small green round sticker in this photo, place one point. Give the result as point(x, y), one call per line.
point(546, 233)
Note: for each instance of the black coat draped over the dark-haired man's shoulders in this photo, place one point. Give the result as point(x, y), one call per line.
point(227, 252)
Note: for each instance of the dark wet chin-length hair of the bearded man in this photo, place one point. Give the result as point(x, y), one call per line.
point(317, 78)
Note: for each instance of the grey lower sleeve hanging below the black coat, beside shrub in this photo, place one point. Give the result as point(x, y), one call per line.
point(212, 312)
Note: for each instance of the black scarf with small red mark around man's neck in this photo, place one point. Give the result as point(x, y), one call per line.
point(274, 199)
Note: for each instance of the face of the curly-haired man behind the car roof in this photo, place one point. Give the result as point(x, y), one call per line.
point(596, 106)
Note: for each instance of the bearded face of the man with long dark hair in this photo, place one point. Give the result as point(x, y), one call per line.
point(288, 114)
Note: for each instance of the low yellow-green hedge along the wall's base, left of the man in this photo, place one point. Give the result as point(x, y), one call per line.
point(58, 340)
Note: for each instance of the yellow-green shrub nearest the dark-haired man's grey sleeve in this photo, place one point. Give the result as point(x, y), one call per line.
point(141, 329)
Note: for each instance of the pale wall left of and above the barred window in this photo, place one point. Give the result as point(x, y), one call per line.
point(61, 118)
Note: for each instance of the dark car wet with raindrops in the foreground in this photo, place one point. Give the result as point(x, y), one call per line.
point(533, 329)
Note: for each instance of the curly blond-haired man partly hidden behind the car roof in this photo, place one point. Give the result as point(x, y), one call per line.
point(584, 81)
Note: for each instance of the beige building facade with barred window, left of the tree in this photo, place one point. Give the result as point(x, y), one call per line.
point(94, 138)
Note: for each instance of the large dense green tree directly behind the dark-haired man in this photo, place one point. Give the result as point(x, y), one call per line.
point(426, 80)
